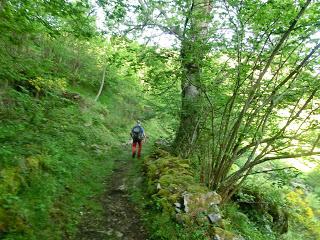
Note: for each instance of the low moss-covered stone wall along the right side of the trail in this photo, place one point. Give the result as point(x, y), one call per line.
point(175, 191)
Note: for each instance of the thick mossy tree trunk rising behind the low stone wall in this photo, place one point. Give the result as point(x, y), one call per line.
point(193, 50)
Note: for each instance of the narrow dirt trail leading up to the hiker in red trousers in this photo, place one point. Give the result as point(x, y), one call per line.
point(120, 219)
